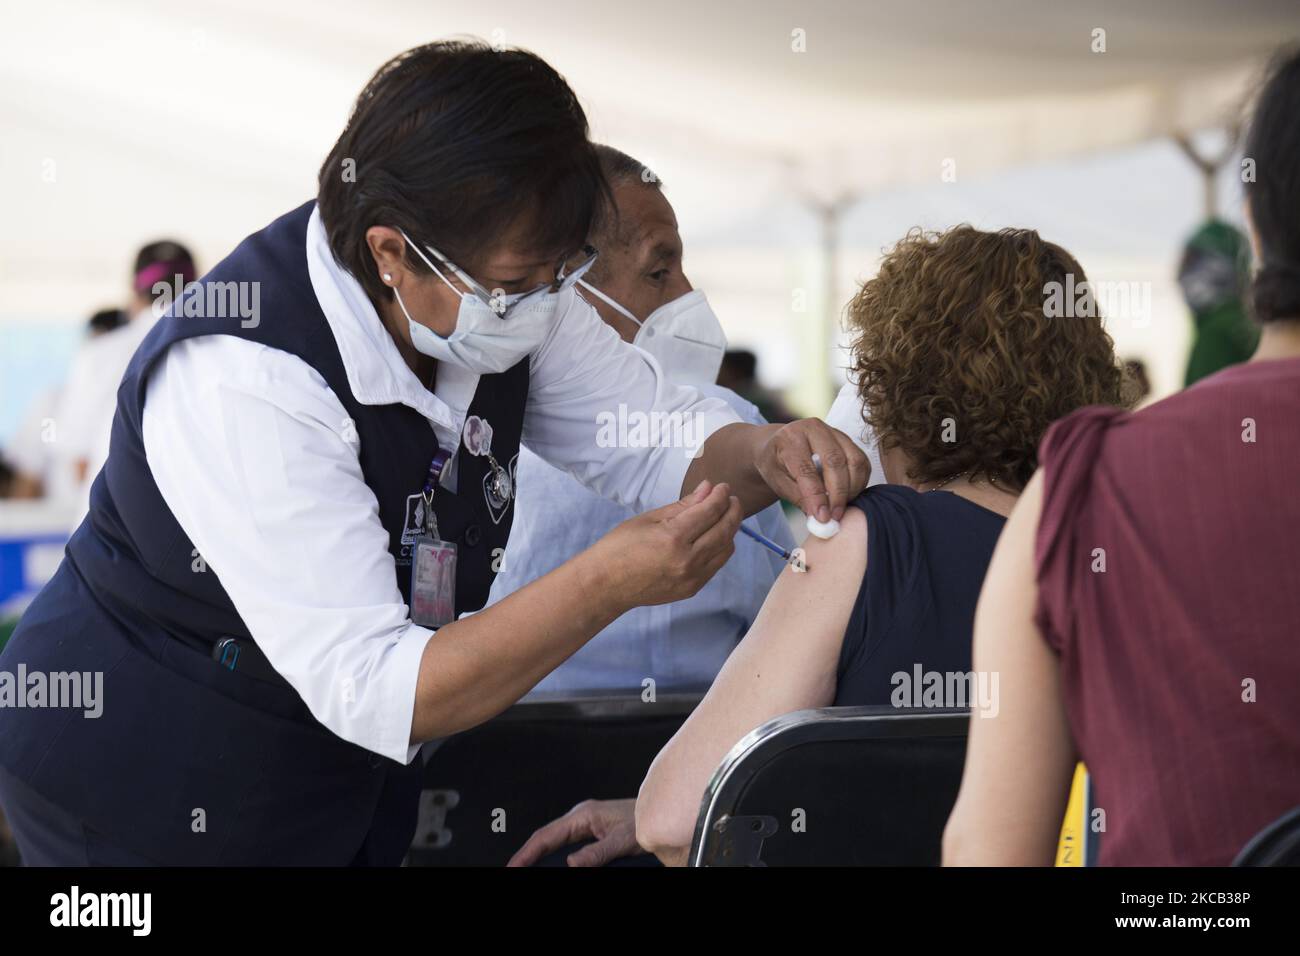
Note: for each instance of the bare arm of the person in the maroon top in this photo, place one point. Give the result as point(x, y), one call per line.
point(1021, 758)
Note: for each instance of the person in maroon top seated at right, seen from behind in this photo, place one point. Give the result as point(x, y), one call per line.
point(1142, 608)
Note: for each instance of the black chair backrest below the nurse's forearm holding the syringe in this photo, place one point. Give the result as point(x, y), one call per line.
point(487, 790)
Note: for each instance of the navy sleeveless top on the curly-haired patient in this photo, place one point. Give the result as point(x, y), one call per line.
point(916, 611)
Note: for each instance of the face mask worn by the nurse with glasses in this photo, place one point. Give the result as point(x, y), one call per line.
point(484, 341)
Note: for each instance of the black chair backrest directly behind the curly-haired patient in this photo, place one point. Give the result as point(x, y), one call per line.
point(835, 786)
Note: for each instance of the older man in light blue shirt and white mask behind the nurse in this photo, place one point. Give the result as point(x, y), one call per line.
point(639, 288)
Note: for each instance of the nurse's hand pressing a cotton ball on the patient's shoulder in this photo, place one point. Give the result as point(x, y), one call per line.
point(787, 466)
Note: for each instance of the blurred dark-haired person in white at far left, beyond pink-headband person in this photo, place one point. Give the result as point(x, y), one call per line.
point(32, 456)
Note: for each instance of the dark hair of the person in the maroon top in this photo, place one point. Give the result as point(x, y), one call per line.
point(1273, 145)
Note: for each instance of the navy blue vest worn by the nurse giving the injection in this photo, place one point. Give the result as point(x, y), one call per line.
point(193, 763)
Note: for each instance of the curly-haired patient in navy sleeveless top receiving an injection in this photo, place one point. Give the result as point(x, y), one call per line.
point(963, 362)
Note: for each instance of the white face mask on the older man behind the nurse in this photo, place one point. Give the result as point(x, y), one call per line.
point(684, 335)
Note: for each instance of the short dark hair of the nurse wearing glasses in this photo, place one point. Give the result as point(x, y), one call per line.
point(453, 142)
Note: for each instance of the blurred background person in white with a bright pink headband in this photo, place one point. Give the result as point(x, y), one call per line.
point(84, 417)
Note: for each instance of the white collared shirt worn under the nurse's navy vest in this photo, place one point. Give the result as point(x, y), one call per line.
point(257, 458)
